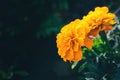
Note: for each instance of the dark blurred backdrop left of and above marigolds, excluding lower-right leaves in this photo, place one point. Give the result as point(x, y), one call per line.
point(28, 31)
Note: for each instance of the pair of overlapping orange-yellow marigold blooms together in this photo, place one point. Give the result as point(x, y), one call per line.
point(81, 33)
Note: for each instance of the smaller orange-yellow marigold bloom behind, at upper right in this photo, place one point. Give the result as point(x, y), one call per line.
point(100, 19)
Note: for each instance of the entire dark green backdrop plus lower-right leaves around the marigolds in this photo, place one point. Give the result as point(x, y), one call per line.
point(27, 41)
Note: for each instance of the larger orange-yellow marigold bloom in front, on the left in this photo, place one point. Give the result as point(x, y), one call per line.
point(70, 40)
